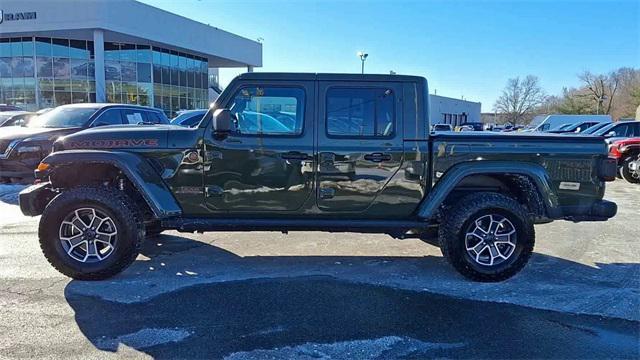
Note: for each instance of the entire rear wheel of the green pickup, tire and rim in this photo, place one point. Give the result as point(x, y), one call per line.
point(487, 237)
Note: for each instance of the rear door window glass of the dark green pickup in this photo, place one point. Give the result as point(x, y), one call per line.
point(364, 112)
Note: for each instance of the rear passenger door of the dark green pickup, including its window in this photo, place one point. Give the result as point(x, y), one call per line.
point(360, 147)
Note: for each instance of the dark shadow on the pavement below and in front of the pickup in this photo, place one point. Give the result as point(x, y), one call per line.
point(292, 316)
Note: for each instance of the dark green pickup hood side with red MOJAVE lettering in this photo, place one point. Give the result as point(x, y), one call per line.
point(120, 137)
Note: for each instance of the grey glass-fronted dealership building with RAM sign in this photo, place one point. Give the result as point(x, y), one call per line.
point(59, 52)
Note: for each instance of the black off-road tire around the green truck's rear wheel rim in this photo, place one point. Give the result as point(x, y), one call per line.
point(452, 233)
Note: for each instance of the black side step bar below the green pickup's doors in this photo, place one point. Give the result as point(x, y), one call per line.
point(284, 225)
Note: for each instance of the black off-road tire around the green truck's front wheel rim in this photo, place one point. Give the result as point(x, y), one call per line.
point(118, 206)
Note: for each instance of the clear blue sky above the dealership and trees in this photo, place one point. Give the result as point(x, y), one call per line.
point(464, 48)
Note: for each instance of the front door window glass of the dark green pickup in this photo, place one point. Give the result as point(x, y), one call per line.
point(268, 110)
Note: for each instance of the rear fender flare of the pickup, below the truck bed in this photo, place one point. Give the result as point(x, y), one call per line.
point(452, 177)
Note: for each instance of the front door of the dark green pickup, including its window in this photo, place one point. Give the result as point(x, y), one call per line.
point(267, 164)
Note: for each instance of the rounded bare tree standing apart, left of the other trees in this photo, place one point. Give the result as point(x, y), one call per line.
point(520, 99)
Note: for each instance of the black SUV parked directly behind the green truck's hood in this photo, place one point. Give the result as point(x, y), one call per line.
point(22, 148)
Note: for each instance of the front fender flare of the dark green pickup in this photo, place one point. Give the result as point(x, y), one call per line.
point(141, 174)
